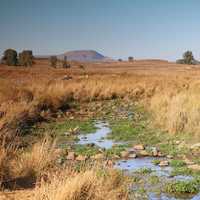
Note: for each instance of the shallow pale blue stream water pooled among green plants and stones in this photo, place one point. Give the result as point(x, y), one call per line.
point(130, 166)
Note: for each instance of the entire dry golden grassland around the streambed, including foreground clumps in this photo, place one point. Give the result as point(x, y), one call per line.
point(168, 91)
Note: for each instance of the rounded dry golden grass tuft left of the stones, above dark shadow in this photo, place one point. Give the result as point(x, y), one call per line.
point(37, 160)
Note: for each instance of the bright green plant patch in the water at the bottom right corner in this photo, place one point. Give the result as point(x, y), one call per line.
point(180, 187)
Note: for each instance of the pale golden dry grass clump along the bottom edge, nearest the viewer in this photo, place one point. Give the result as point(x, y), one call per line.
point(87, 185)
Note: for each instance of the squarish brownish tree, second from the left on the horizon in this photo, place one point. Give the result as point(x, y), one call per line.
point(26, 58)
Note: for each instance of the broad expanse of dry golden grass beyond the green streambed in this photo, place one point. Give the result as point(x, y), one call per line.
point(25, 93)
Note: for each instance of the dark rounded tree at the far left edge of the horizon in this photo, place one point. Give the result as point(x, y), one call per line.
point(10, 57)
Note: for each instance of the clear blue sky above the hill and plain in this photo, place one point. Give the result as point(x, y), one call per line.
point(161, 29)
